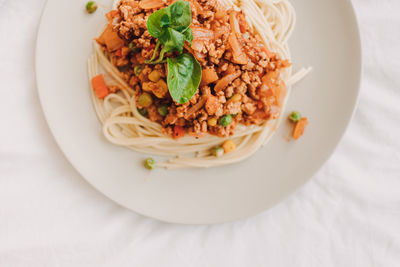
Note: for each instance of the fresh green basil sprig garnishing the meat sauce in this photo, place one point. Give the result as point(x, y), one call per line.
point(171, 27)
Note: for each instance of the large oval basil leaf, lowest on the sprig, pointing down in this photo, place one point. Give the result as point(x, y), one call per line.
point(184, 75)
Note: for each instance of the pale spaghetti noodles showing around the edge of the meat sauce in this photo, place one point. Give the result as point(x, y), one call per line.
point(122, 124)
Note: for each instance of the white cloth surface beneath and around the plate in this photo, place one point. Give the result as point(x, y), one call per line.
point(348, 215)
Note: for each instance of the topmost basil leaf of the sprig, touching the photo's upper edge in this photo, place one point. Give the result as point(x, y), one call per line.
point(180, 15)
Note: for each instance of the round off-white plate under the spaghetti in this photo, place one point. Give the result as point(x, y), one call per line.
point(326, 37)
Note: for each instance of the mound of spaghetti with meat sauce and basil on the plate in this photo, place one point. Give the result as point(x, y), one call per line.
point(203, 82)
